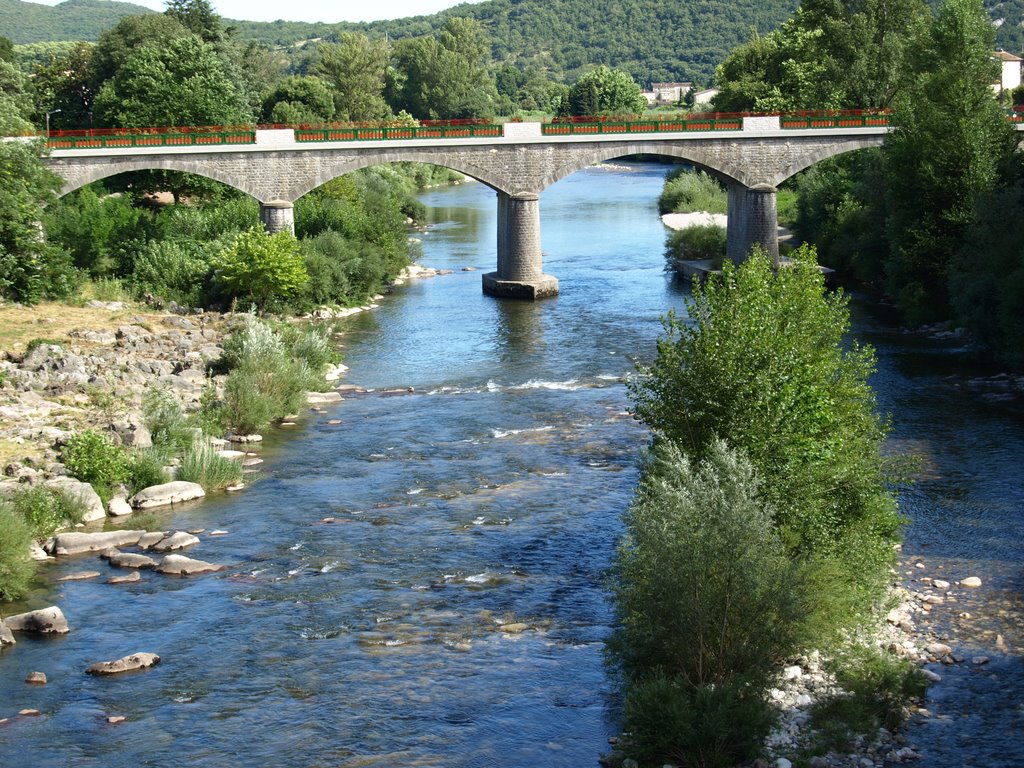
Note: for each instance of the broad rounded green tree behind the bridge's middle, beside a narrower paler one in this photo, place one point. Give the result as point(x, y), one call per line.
point(445, 77)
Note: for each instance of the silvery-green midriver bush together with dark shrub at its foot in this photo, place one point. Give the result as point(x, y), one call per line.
point(708, 605)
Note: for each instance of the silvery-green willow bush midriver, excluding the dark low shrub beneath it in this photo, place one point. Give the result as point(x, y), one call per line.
point(704, 589)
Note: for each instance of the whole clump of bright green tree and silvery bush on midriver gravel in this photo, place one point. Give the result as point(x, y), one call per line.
point(764, 521)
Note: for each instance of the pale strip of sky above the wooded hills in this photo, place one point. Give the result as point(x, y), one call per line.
point(314, 11)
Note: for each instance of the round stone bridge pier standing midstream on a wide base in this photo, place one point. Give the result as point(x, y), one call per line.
point(521, 265)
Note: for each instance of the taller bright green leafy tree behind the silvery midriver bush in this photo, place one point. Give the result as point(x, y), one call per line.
point(766, 366)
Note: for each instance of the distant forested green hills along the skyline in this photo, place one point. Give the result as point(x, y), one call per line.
point(655, 40)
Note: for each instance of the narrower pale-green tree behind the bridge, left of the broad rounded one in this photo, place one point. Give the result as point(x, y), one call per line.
point(356, 68)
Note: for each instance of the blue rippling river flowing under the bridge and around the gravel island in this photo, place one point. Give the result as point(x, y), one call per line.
point(421, 585)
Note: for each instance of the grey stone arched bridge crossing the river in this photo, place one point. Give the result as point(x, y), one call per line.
point(752, 158)
